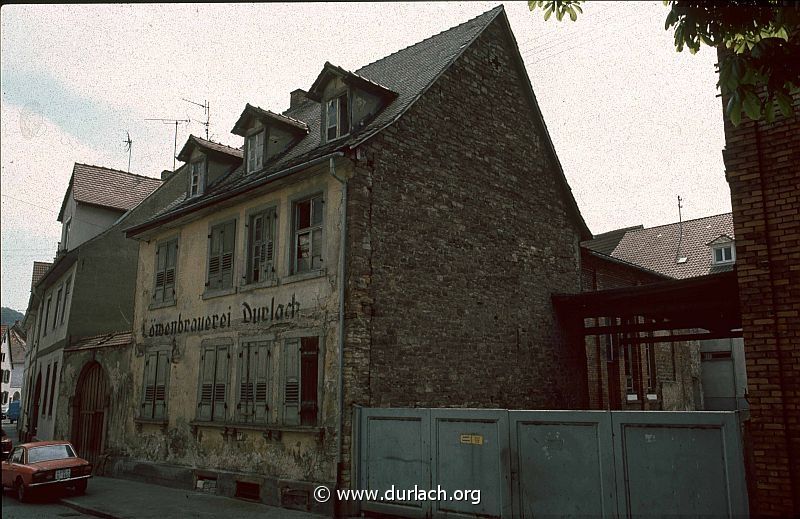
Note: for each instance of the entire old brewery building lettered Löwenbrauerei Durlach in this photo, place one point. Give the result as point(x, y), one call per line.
point(350, 255)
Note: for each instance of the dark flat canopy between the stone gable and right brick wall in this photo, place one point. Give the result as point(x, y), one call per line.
point(667, 311)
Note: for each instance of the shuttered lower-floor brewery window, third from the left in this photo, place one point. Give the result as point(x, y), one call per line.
point(253, 374)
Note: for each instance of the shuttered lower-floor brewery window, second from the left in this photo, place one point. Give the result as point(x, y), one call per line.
point(212, 403)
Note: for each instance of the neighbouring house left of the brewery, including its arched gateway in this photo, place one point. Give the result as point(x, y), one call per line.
point(87, 291)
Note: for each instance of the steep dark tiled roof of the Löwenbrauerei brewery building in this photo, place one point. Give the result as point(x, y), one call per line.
point(408, 73)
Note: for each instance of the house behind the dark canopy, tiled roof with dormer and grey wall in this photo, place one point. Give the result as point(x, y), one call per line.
point(682, 250)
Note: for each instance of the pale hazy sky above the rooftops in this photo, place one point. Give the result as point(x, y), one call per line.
point(634, 123)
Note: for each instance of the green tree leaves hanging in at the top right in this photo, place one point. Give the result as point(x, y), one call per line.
point(759, 62)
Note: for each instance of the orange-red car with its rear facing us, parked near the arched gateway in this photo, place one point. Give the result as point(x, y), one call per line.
point(45, 464)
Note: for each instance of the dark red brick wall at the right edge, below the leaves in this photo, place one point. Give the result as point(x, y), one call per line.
point(762, 163)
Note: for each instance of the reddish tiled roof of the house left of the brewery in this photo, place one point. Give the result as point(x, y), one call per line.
point(106, 187)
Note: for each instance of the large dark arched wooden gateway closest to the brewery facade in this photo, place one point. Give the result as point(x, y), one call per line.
point(89, 407)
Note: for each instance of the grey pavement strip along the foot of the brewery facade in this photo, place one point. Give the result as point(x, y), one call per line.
point(113, 498)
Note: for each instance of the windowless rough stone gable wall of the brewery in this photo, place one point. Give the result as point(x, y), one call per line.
point(460, 232)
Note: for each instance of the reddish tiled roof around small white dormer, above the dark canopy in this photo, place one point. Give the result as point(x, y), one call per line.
point(656, 248)
